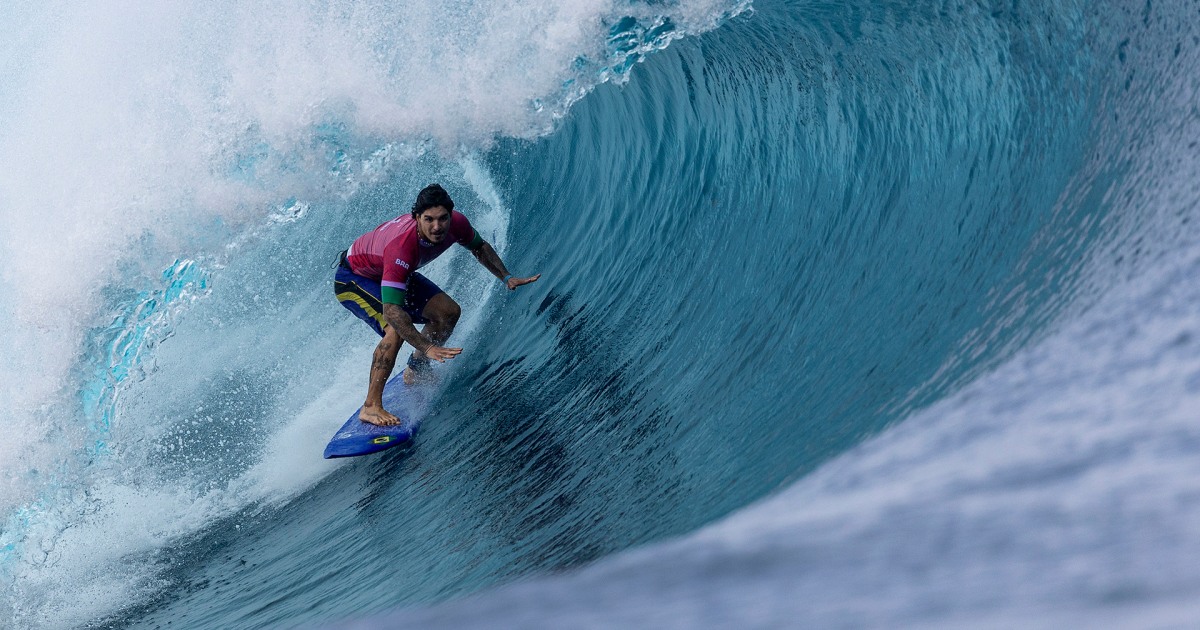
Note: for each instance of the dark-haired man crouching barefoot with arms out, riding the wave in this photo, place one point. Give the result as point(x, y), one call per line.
point(379, 283)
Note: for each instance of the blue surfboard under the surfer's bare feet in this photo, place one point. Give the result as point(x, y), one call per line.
point(407, 403)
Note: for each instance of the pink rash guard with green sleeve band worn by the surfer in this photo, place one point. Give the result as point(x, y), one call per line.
point(394, 250)
